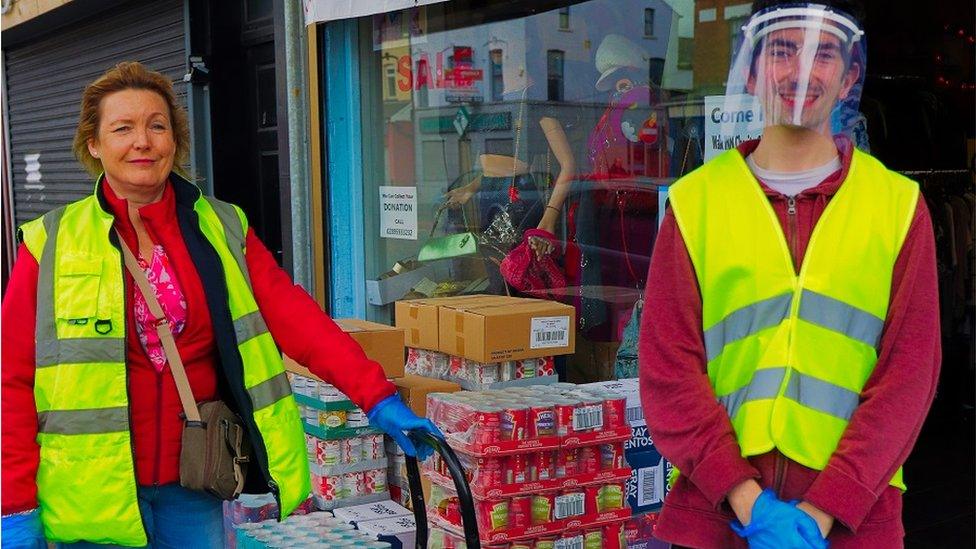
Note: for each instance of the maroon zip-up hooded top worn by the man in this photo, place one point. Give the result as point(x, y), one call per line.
point(693, 431)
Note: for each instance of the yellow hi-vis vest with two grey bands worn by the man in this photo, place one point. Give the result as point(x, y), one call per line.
point(788, 354)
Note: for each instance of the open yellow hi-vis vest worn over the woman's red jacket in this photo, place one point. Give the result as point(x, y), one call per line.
point(86, 479)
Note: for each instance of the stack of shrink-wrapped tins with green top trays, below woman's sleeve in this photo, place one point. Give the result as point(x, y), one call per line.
point(347, 457)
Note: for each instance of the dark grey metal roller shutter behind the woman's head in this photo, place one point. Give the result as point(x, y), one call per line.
point(45, 80)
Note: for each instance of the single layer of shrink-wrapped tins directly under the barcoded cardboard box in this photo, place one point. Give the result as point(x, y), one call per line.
point(478, 376)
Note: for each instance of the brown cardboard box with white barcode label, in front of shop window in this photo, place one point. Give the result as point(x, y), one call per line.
point(507, 329)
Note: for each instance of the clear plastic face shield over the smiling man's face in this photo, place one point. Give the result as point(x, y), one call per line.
point(803, 64)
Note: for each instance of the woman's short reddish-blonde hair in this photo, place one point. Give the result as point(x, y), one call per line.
point(129, 75)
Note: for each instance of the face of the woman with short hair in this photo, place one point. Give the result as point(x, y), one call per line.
point(135, 140)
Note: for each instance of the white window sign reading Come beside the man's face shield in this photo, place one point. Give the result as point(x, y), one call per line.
point(730, 120)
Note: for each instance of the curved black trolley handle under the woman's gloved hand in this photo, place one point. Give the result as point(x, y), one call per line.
point(465, 500)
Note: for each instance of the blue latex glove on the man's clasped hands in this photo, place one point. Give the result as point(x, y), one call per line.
point(778, 524)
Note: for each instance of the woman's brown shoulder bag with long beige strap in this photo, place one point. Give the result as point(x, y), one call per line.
point(216, 448)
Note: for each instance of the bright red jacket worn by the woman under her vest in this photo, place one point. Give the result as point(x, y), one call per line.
point(298, 325)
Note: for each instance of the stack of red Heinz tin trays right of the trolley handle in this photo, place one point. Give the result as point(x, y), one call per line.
point(543, 462)
